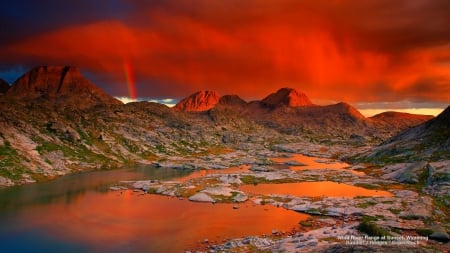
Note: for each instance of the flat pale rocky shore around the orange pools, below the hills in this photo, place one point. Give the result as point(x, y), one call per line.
point(406, 214)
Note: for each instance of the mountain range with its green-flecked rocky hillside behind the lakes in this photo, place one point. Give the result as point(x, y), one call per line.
point(53, 121)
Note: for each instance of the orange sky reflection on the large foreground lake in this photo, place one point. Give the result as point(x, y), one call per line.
point(125, 220)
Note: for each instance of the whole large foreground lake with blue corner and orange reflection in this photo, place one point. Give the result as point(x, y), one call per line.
point(78, 213)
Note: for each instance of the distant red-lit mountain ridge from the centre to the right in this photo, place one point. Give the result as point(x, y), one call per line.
point(292, 112)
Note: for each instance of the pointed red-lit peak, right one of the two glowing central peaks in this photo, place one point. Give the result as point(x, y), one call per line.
point(289, 97)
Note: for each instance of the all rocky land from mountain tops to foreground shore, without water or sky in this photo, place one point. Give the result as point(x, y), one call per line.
point(53, 122)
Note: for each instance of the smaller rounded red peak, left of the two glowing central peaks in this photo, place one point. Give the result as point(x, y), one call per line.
point(199, 101)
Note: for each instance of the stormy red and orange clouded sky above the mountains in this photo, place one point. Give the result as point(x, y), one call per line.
point(333, 50)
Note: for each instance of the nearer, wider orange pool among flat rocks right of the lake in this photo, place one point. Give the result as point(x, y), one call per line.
point(313, 189)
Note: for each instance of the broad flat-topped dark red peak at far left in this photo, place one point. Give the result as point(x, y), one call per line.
point(62, 84)
